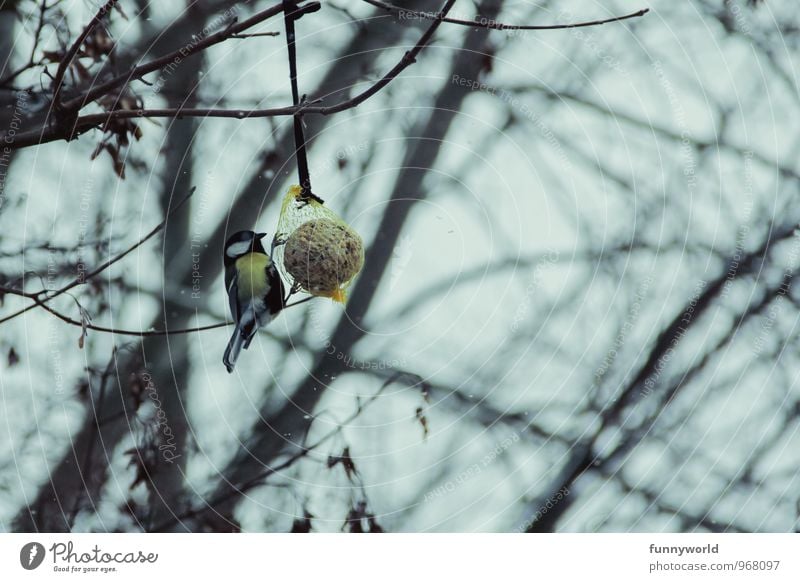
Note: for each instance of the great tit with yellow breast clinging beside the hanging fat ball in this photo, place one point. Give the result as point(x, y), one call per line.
point(255, 290)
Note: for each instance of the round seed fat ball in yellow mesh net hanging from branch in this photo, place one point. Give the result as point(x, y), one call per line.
point(322, 254)
